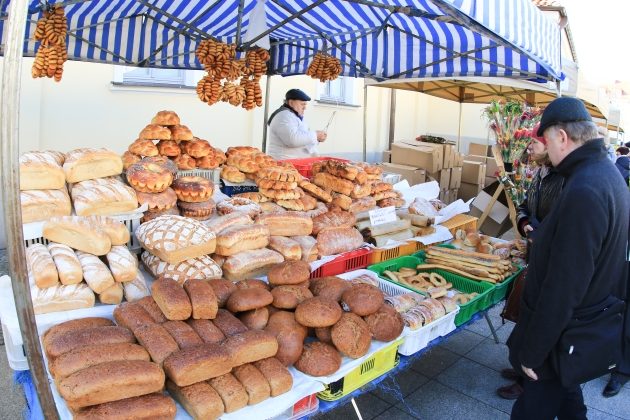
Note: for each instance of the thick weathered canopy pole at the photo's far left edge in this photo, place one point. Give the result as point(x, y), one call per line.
point(9, 139)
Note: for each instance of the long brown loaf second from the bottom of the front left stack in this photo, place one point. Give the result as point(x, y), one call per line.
point(111, 381)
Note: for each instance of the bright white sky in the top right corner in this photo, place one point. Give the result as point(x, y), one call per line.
point(600, 33)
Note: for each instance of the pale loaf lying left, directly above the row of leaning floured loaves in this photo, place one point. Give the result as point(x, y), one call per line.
point(78, 233)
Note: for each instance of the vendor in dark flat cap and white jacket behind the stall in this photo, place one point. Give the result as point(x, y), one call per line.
point(289, 136)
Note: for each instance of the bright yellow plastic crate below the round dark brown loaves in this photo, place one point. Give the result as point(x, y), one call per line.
point(379, 363)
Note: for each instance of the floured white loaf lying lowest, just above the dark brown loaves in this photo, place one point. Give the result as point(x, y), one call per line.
point(61, 298)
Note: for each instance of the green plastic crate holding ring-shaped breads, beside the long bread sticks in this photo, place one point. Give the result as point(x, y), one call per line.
point(466, 311)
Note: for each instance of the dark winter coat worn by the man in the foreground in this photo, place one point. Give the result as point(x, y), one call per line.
point(578, 258)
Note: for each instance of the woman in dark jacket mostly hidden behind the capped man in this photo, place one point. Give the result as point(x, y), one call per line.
point(541, 196)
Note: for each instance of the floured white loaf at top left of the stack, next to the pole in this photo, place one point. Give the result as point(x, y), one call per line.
point(41, 171)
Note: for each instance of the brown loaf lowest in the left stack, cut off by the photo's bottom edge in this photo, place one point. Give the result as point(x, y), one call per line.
point(150, 406)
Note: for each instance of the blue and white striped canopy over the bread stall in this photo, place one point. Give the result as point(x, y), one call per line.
point(381, 39)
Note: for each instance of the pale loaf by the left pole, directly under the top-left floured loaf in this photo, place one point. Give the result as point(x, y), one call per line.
point(40, 205)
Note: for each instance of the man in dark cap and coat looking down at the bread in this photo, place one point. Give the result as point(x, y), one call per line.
point(578, 259)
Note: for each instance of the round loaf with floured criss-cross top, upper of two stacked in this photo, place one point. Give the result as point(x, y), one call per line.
point(174, 239)
